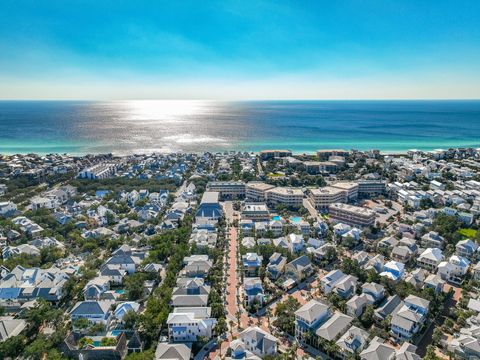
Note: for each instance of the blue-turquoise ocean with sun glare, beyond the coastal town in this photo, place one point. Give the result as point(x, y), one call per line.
point(126, 127)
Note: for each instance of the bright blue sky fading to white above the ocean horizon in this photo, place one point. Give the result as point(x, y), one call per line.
point(335, 49)
